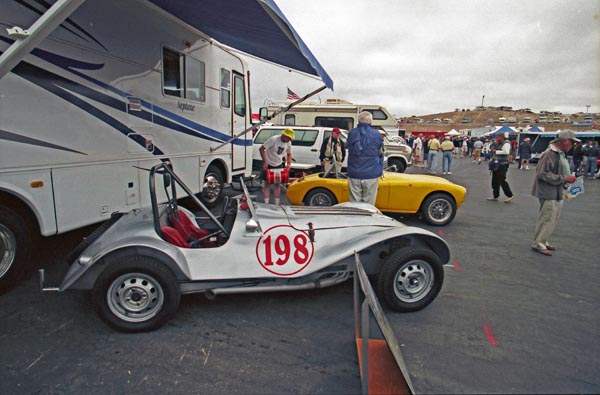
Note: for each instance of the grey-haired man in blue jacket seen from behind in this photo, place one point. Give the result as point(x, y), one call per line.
point(365, 160)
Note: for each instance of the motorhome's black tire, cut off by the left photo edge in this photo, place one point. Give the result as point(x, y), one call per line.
point(16, 243)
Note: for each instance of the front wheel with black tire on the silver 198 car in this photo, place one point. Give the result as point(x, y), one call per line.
point(410, 279)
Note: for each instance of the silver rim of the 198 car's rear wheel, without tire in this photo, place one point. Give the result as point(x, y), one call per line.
point(135, 297)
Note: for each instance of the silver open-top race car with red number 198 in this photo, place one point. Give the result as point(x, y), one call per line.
point(139, 263)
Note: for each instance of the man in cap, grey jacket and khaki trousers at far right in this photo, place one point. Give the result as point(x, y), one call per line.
point(551, 174)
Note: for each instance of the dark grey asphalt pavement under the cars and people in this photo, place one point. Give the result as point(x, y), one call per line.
point(507, 320)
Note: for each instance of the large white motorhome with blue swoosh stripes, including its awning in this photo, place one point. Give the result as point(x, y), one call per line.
point(94, 92)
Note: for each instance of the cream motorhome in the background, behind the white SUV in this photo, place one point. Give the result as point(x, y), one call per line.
point(333, 113)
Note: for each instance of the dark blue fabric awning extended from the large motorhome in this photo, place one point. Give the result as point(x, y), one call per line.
point(256, 27)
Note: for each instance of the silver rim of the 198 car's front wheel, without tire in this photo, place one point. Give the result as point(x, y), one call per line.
point(413, 281)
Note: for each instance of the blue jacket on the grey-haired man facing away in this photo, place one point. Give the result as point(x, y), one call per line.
point(365, 152)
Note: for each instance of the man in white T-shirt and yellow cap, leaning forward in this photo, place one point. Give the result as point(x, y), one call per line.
point(272, 153)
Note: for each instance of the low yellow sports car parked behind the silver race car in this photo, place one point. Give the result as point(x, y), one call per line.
point(435, 198)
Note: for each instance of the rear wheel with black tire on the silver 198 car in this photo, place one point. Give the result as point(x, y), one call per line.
point(136, 294)
